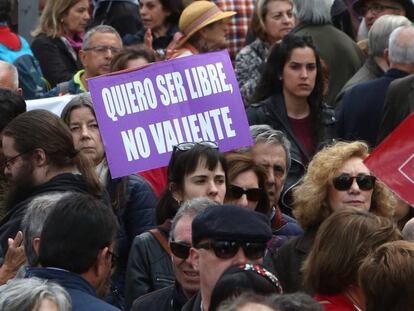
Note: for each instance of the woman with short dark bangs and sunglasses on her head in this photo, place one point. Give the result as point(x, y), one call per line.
point(195, 170)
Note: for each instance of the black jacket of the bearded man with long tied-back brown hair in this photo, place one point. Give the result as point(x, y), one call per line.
point(11, 223)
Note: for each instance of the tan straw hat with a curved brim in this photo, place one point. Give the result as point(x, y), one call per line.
point(198, 15)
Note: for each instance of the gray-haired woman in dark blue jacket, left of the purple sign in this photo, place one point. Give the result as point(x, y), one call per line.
point(132, 198)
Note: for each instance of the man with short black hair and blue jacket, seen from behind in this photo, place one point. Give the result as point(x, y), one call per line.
point(76, 250)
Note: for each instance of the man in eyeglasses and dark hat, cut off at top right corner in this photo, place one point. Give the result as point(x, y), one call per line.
point(371, 10)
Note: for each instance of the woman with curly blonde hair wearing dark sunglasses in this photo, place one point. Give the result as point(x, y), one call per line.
point(336, 180)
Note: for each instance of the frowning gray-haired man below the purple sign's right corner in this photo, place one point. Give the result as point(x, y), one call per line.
point(271, 150)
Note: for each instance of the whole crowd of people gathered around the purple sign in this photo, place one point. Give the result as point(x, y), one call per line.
point(296, 221)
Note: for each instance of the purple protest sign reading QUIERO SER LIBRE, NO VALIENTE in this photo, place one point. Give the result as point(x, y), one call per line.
point(142, 114)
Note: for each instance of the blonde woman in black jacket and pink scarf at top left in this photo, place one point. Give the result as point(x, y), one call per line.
point(59, 37)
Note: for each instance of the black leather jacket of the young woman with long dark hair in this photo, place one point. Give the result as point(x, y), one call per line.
point(272, 111)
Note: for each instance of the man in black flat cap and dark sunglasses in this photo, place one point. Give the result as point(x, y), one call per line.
point(224, 235)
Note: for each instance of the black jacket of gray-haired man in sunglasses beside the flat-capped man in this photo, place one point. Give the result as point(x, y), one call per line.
point(169, 298)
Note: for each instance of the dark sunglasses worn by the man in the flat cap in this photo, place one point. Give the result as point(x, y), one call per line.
point(229, 249)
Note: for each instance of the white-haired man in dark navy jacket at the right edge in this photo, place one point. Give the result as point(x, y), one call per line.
point(360, 116)
